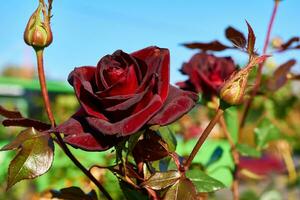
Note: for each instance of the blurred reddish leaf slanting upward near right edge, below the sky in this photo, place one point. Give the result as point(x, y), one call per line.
point(279, 77)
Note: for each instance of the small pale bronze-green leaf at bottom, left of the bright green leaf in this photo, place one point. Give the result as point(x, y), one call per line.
point(161, 180)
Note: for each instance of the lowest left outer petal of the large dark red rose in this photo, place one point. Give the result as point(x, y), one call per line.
point(80, 135)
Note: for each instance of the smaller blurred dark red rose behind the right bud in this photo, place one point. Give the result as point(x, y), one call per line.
point(207, 73)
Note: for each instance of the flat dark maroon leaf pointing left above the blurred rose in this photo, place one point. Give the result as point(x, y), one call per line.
point(212, 46)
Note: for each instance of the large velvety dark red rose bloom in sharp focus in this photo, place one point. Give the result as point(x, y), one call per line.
point(122, 95)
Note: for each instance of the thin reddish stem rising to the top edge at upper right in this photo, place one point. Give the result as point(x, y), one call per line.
point(259, 72)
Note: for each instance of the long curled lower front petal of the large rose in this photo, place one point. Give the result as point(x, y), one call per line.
point(130, 124)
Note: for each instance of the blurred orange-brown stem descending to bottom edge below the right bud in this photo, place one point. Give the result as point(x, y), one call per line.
point(236, 158)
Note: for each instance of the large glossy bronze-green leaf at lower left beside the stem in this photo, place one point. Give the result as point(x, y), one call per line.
point(34, 158)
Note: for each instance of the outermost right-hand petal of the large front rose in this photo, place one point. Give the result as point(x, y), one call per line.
point(177, 104)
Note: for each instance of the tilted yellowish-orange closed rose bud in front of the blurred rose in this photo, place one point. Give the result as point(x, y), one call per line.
point(234, 88)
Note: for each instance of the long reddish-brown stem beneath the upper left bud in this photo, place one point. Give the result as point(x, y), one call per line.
point(42, 80)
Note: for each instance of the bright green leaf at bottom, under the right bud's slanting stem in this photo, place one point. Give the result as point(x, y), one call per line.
point(203, 182)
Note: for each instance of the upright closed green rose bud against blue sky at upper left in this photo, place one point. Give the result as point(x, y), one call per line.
point(38, 31)
